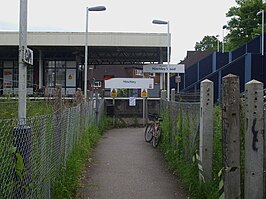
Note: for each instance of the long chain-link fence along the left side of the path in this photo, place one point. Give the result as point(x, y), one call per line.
point(33, 152)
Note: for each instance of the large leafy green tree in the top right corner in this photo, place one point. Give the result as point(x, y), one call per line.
point(244, 24)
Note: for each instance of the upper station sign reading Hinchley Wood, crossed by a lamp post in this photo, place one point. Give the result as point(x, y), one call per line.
point(163, 68)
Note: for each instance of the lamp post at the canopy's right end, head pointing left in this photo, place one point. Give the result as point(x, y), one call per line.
point(160, 22)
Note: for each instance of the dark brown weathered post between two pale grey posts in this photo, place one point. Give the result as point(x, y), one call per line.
point(231, 135)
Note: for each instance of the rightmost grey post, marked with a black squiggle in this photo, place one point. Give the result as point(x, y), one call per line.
point(254, 140)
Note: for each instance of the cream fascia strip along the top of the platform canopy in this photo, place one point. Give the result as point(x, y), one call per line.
point(94, 39)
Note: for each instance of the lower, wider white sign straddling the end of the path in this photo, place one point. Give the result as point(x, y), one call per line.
point(136, 83)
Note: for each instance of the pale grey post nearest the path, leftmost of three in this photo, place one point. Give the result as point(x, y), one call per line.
point(206, 128)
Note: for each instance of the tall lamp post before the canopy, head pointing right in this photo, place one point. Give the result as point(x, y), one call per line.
point(96, 8)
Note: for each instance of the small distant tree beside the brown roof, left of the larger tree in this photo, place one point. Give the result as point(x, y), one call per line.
point(208, 43)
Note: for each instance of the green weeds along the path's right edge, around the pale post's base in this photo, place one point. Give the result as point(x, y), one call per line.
point(184, 167)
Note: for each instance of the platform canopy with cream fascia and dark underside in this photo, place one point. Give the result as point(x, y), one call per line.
point(104, 47)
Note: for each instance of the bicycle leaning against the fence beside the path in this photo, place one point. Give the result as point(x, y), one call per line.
point(153, 130)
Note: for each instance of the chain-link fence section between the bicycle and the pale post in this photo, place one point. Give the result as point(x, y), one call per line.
point(183, 118)
